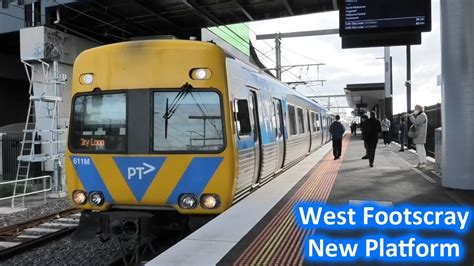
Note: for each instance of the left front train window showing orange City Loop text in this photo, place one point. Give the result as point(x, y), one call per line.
point(99, 123)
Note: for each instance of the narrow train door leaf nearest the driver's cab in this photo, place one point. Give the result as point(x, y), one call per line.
point(257, 139)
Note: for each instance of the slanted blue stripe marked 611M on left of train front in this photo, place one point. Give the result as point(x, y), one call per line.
point(89, 176)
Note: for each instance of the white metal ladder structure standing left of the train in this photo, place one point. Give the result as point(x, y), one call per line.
point(41, 129)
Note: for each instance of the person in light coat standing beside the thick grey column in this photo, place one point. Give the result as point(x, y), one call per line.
point(420, 124)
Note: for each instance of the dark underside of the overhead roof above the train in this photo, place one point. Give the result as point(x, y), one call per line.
point(118, 20)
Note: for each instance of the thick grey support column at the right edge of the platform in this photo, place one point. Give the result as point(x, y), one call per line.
point(457, 42)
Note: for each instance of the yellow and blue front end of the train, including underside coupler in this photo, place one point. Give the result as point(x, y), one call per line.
point(150, 132)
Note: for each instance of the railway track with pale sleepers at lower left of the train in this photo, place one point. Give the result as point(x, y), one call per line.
point(17, 238)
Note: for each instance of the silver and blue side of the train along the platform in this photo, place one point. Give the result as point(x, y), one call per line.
point(285, 125)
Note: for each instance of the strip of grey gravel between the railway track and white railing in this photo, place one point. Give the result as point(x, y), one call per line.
point(52, 206)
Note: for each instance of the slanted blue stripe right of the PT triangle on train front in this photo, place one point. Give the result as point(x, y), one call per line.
point(195, 178)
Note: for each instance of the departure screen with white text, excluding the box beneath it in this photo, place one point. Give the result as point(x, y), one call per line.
point(384, 16)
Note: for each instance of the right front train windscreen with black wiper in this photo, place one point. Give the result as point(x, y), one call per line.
point(195, 126)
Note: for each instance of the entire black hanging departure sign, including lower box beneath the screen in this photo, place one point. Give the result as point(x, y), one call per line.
point(373, 23)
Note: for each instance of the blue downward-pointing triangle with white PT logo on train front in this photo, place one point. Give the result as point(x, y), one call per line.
point(139, 172)
